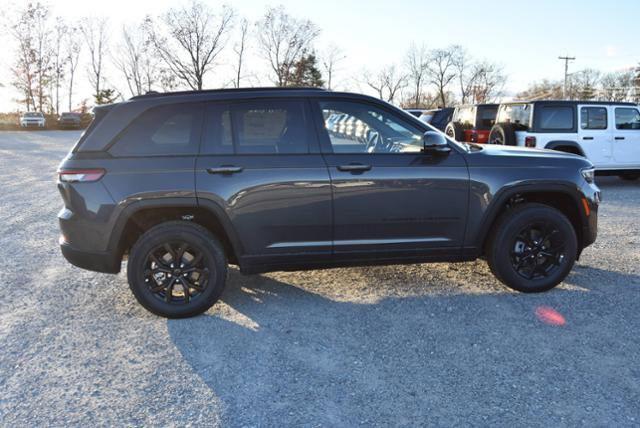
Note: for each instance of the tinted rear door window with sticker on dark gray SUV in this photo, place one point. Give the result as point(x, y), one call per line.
point(257, 127)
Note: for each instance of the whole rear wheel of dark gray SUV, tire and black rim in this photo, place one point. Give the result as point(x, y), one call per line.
point(157, 280)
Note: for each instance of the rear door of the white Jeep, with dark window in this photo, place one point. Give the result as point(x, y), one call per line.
point(595, 134)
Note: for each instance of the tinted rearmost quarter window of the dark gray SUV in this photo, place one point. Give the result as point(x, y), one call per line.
point(165, 130)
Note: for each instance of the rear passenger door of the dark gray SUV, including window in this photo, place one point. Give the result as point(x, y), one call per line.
point(260, 163)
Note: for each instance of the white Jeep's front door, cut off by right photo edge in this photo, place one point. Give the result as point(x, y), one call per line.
point(626, 144)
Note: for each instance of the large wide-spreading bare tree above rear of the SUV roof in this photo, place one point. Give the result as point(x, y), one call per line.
point(189, 39)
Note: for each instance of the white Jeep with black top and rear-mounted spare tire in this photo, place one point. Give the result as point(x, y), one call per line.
point(606, 133)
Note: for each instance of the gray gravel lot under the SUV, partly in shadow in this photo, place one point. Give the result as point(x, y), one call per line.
point(409, 345)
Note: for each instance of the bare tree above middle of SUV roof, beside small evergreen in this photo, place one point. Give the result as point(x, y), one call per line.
point(283, 40)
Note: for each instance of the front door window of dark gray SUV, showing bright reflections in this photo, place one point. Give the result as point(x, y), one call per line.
point(362, 128)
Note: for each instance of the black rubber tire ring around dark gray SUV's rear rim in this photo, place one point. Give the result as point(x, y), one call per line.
point(213, 257)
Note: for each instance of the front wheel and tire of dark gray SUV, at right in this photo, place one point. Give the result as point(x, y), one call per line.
point(526, 261)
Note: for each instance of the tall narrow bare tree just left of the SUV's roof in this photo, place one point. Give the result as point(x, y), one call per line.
point(95, 35)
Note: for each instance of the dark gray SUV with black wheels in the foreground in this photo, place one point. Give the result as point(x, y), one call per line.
point(183, 184)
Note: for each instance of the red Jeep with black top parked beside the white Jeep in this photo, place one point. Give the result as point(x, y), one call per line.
point(472, 123)
